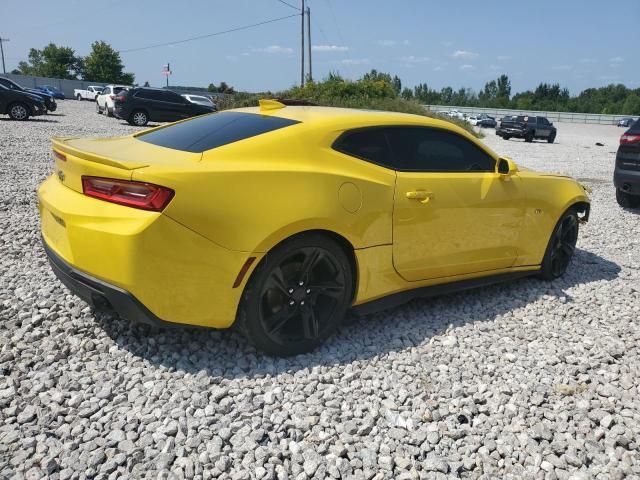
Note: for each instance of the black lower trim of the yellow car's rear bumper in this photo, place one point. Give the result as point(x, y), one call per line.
point(99, 294)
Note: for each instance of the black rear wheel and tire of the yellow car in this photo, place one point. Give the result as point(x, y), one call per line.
point(297, 296)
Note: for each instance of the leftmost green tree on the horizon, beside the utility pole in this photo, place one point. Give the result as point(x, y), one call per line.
point(52, 61)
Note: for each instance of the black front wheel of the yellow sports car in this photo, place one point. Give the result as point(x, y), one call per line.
point(561, 247)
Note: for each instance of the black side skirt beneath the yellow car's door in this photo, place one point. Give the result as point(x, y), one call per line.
point(396, 299)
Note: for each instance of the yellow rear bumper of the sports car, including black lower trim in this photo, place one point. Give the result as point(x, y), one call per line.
point(132, 257)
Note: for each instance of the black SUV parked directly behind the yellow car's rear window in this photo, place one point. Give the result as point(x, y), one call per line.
point(138, 106)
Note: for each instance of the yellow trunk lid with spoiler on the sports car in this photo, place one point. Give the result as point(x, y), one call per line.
point(111, 158)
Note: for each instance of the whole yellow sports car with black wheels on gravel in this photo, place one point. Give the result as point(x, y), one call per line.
point(278, 219)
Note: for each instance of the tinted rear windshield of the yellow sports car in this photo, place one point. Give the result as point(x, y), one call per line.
point(211, 131)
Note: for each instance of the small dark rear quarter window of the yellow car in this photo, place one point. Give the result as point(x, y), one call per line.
point(369, 144)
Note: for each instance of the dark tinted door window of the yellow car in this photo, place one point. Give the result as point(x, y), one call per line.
point(421, 149)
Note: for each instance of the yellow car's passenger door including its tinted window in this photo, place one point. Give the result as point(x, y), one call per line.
point(453, 213)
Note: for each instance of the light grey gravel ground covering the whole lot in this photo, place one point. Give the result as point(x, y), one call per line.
point(520, 380)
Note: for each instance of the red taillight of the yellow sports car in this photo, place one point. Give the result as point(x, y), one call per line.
point(145, 196)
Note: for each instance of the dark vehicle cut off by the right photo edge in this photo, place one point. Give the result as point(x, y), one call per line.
point(626, 175)
